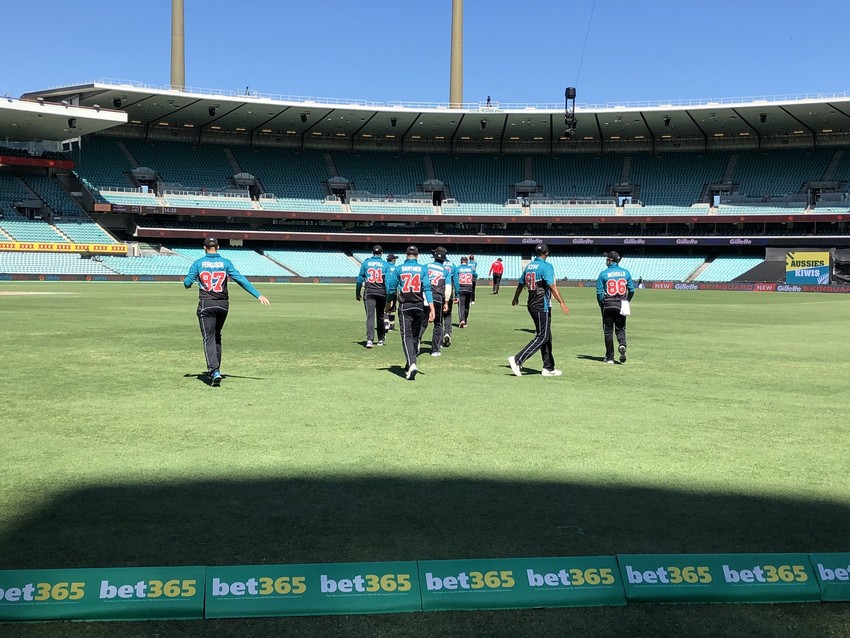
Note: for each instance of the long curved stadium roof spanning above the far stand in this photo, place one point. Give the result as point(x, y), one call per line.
point(254, 114)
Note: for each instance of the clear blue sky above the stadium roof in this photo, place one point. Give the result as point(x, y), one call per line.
point(385, 50)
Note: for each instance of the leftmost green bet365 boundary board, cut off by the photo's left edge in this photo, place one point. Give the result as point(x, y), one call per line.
point(137, 593)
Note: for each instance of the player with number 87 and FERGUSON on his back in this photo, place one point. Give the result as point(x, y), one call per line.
point(211, 272)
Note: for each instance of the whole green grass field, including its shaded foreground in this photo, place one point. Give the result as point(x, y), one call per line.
point(724, 432)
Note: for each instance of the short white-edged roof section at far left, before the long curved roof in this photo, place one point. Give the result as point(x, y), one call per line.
point(22, 120)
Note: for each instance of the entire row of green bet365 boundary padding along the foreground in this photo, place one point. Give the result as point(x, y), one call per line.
point(147, 593)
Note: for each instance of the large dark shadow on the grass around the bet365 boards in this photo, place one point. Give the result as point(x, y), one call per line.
point(386, 518)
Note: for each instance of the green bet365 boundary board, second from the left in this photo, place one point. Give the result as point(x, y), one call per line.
point(305, 590)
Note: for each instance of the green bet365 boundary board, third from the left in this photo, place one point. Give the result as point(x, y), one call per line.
point(520, 583)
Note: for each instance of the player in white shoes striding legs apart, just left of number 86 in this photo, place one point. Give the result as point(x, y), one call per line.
point(539, 278)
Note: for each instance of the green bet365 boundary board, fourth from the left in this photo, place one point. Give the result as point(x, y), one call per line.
point(755, 578)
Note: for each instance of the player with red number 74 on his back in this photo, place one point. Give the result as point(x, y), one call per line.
point(415, 305)
